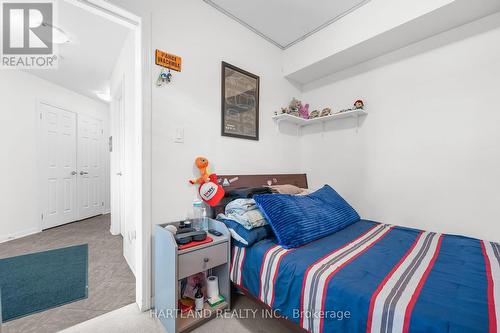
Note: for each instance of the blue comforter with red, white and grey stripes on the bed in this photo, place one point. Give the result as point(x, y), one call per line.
point(372, 277)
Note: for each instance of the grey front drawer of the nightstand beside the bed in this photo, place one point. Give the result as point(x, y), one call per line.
point(201, 260)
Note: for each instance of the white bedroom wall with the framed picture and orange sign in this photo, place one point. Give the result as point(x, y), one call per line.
point(203, 37)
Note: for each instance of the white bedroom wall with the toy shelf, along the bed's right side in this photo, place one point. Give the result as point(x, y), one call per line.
point(427, 155)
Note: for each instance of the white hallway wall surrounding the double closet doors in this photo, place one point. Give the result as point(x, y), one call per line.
point(19, 92)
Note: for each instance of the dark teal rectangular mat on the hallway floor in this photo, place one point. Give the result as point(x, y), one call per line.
point(39, 281)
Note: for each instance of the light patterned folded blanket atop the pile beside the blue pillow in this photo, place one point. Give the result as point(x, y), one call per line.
point(246, 213)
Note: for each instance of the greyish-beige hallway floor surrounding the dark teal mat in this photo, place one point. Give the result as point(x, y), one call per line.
point(111, 283)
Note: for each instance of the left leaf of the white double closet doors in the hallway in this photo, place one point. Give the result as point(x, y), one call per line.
point(58, 166)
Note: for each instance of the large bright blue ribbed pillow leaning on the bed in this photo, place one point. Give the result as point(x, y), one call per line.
point(298, 220)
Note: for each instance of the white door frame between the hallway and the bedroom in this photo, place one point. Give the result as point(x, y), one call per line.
point(139, 20)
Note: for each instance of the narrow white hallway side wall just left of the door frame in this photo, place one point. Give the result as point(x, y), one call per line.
point(124, 73)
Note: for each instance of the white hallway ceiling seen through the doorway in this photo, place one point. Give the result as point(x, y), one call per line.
point(86, 62)
